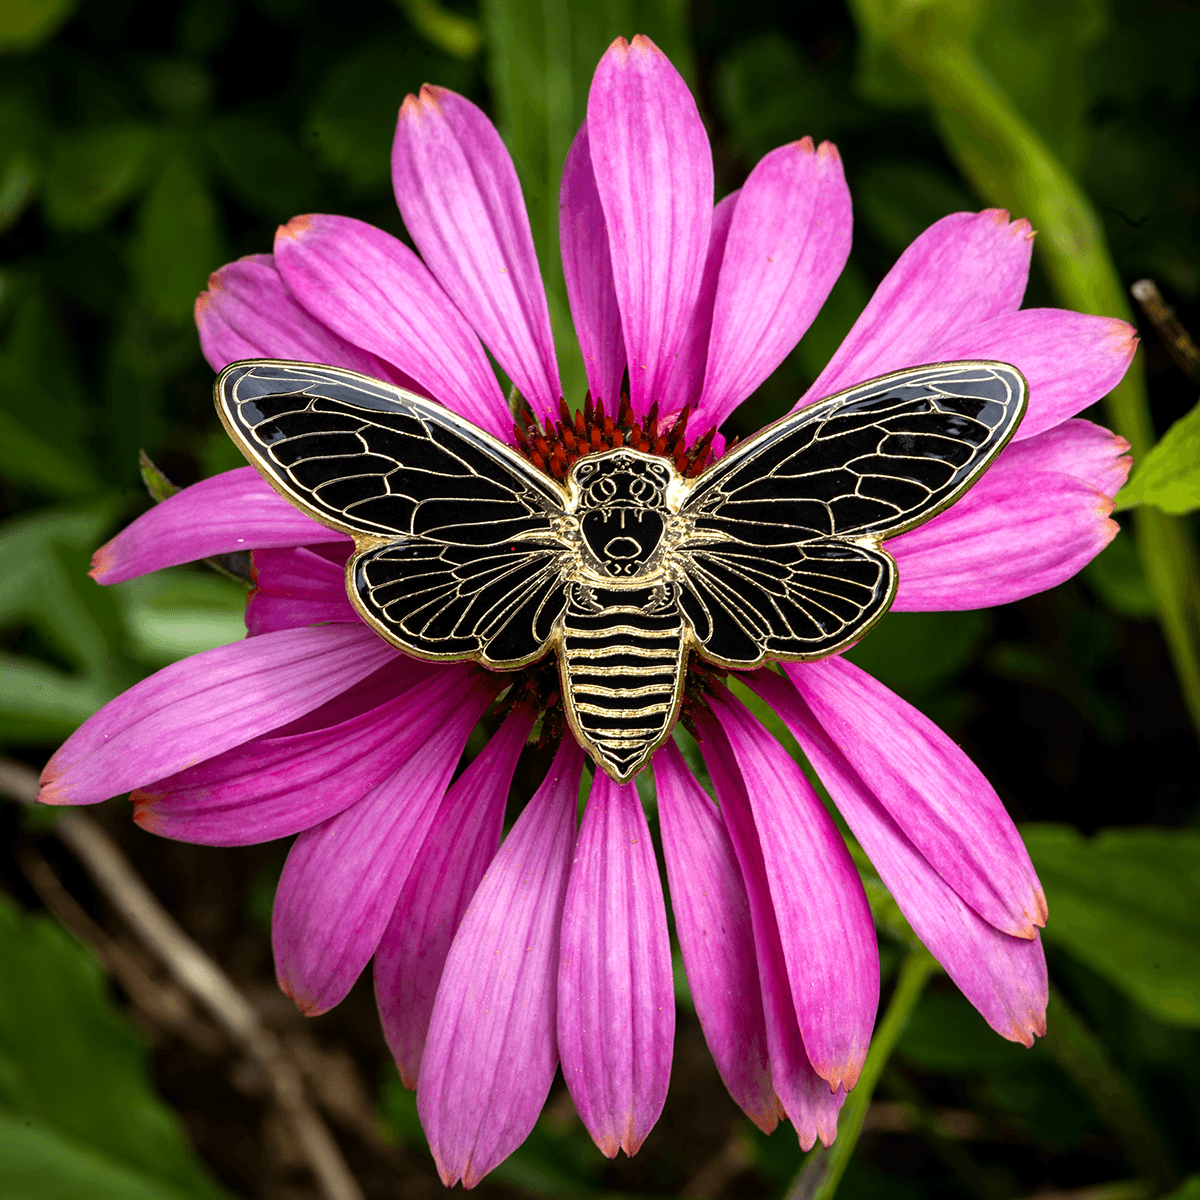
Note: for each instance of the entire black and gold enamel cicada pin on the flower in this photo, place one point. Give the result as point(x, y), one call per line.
point(467, 551)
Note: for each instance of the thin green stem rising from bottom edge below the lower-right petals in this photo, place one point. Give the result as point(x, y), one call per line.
point(824, 1168)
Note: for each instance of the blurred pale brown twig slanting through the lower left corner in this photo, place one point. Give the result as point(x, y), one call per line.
point(199, 976)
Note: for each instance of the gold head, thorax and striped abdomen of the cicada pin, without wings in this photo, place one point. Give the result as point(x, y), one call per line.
point(623, 649)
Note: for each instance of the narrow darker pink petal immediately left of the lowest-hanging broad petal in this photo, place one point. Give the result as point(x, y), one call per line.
point(460, 845)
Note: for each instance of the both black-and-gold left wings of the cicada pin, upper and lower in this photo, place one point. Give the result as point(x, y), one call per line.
point(458, 554)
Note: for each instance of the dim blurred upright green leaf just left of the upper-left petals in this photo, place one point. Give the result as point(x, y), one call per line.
point(179, 241)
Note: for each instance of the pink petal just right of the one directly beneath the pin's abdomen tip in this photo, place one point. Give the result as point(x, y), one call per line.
point(712, 917)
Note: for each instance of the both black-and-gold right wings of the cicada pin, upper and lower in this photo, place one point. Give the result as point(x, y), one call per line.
point(784, 554)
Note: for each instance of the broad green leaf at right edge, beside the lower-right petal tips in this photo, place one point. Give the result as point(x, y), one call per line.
point(1127, 903)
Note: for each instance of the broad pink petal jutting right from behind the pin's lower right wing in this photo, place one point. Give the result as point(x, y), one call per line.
point(1016, 533)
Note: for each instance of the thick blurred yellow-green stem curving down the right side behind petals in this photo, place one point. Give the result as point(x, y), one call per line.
point(1009, 164)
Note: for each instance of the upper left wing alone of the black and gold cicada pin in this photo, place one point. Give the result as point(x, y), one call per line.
point(367, 458)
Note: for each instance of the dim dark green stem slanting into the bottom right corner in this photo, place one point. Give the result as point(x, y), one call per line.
point(1087, 1061)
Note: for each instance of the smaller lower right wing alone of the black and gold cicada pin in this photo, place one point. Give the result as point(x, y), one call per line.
point(749, 603)
